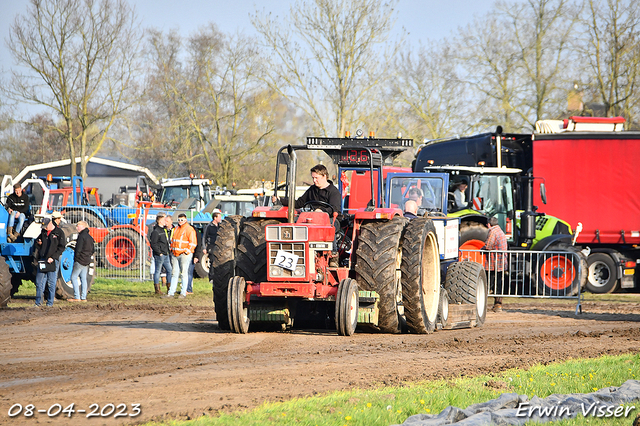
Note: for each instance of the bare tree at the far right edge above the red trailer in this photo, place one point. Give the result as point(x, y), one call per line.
point(612, 52)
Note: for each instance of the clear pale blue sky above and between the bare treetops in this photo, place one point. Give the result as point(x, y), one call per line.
point(422, 19)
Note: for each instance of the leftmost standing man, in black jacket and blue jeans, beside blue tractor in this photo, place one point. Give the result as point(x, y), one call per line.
point(49, 246)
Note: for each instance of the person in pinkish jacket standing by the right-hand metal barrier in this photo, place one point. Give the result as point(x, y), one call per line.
point(496, 263)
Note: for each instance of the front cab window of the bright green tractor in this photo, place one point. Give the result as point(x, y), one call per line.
point(492, 195)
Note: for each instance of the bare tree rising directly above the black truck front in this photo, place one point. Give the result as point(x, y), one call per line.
point(517, 58)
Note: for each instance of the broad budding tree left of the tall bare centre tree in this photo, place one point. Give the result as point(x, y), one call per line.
point(219, 116)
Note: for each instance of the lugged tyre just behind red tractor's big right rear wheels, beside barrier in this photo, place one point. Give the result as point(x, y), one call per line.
point(466, 283)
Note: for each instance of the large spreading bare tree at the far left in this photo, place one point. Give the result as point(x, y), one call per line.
point(79, 59)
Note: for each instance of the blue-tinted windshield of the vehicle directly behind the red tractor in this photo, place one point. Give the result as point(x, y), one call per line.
point(428, 191)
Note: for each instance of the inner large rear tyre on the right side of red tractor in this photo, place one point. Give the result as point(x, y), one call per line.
point(378, 260)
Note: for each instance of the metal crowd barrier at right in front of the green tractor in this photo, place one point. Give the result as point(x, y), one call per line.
point(531, 274)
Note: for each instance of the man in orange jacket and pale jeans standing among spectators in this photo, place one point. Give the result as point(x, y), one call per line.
point(183, 244)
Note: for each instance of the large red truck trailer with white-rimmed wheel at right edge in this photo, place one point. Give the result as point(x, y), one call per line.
point(589, 166)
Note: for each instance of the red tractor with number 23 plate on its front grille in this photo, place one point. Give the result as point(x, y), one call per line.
point(273, 267)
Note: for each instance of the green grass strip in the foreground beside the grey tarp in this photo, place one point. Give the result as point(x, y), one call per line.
point(392, 405)
